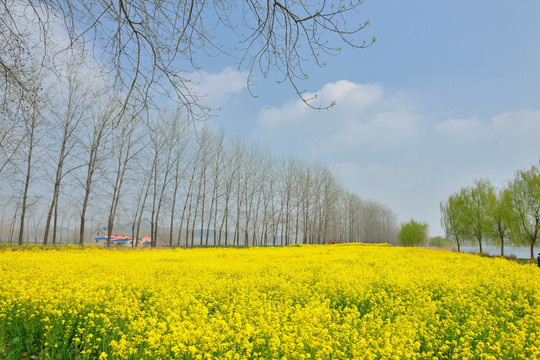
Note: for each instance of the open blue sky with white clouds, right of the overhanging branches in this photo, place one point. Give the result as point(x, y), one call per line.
point(449, 93)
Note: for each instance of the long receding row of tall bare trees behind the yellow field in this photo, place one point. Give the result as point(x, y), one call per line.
point(75, 160)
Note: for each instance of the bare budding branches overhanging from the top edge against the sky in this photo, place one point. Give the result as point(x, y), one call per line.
point(148, 48)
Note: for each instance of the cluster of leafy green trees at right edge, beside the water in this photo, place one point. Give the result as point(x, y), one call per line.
point(482, 213)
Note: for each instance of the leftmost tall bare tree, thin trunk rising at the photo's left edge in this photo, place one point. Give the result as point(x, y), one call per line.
point(21, 104)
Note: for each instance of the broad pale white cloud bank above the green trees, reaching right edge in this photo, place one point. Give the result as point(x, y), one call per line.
point(385, 148)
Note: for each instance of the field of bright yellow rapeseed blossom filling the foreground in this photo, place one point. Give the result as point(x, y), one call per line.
point(308, 302)
